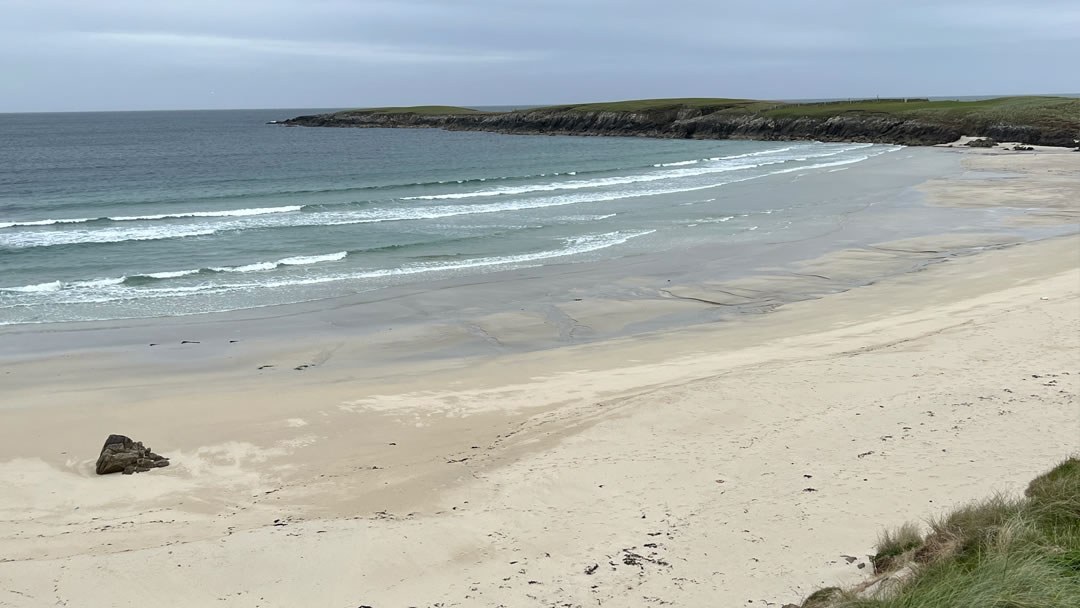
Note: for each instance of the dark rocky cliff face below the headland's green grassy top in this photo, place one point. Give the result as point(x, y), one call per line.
point(695, 124)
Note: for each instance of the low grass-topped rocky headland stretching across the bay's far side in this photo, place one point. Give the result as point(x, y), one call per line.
point(1039, 120)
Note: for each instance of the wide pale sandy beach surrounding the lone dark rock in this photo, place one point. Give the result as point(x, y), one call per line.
point(747, 462)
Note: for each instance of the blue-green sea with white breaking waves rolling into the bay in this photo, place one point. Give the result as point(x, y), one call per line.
point(123, 215)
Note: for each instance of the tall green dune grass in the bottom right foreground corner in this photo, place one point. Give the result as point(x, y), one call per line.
point(998, 553)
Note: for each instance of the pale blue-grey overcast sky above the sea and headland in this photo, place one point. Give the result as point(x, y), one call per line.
point(76, 56)
